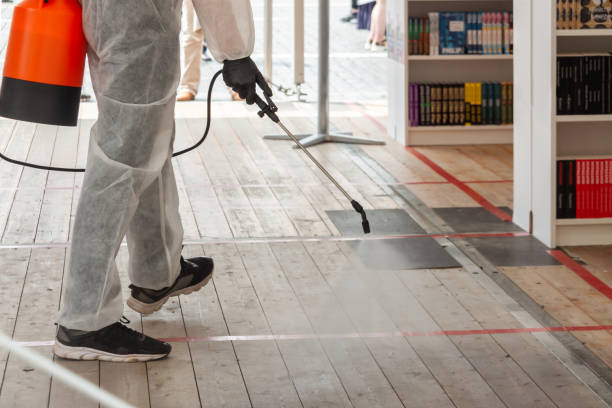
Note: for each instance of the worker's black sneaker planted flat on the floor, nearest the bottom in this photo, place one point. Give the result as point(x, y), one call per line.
point(116, 343)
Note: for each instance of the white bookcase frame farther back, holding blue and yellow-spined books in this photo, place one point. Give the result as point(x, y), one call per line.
point(404, 68)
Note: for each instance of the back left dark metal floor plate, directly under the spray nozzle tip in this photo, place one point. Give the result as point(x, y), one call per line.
point(382, 222)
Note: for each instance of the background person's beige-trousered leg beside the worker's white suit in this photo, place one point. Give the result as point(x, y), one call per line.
point(192, 37)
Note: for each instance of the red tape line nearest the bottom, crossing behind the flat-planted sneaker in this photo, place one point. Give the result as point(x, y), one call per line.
point(340, 336)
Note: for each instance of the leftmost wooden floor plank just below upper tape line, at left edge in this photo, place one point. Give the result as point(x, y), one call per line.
point(13, 264)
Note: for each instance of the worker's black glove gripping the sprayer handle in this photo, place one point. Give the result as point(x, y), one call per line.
point(242, 75)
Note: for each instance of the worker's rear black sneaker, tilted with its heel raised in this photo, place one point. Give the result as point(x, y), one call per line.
point(195, 274)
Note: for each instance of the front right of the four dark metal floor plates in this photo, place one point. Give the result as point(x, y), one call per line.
point(513, 251)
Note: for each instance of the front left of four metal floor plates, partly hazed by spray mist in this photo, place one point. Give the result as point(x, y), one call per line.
point(409, 253)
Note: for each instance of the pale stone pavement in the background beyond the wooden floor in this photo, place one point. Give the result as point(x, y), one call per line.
point(355, 74)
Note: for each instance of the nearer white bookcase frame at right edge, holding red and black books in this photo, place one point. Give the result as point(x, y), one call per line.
point(541, 137)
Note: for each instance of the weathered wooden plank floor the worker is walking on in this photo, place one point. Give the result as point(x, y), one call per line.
point(345, 336)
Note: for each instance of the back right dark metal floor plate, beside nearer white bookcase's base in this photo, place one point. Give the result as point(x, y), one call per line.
point(475, 219)
